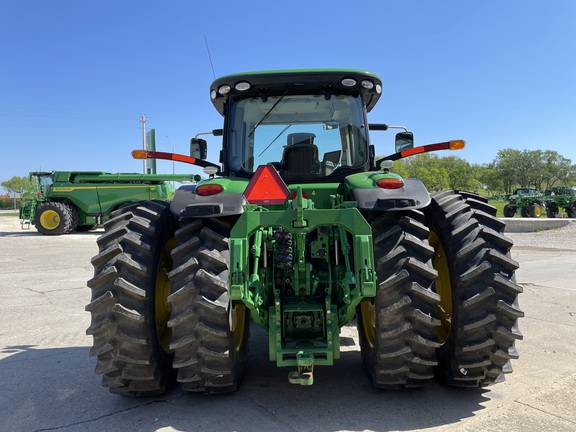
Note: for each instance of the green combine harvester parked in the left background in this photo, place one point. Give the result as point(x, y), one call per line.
point(80, 200)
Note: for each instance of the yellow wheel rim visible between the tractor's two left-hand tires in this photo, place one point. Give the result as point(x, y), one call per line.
point(162, 291)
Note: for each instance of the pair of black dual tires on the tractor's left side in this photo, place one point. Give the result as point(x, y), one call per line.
point(160, 310)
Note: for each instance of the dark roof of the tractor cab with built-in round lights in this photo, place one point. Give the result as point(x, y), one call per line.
point(296, 81)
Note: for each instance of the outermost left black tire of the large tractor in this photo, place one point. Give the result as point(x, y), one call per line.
point(121, 319)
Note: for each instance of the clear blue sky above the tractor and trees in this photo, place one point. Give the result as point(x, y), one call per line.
point(75, 75)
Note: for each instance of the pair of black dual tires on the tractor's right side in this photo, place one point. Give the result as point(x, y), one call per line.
point(470, 318)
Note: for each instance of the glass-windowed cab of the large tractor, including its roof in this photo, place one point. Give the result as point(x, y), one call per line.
point(311, 126)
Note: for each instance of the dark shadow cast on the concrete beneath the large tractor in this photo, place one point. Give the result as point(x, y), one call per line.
point(56, 388)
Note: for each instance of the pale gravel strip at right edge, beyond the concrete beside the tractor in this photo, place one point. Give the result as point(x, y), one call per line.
point(561, 239)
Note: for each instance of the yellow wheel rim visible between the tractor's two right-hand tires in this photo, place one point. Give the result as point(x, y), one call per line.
point(443, 287)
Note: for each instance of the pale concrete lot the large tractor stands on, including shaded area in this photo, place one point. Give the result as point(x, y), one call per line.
point(47, 381)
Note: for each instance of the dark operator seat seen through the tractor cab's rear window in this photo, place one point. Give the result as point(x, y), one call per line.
point(300, 157)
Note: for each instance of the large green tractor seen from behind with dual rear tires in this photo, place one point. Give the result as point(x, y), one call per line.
point(301, 230)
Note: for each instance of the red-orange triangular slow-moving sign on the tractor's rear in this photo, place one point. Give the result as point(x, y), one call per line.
point(266, 187)
